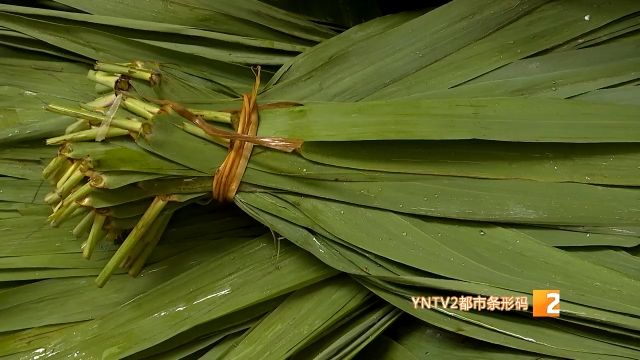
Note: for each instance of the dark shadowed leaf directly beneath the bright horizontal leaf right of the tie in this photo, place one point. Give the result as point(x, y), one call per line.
point(613, 164)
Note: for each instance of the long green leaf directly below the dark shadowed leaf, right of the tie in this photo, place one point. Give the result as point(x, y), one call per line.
point(515, 201)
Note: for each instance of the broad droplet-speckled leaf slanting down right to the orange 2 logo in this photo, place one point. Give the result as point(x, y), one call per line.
point(457, 249)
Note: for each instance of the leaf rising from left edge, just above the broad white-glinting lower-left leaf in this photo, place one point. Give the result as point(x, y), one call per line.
point(78, 299)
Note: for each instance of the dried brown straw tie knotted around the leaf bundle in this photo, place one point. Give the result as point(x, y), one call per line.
point(230, 173)
